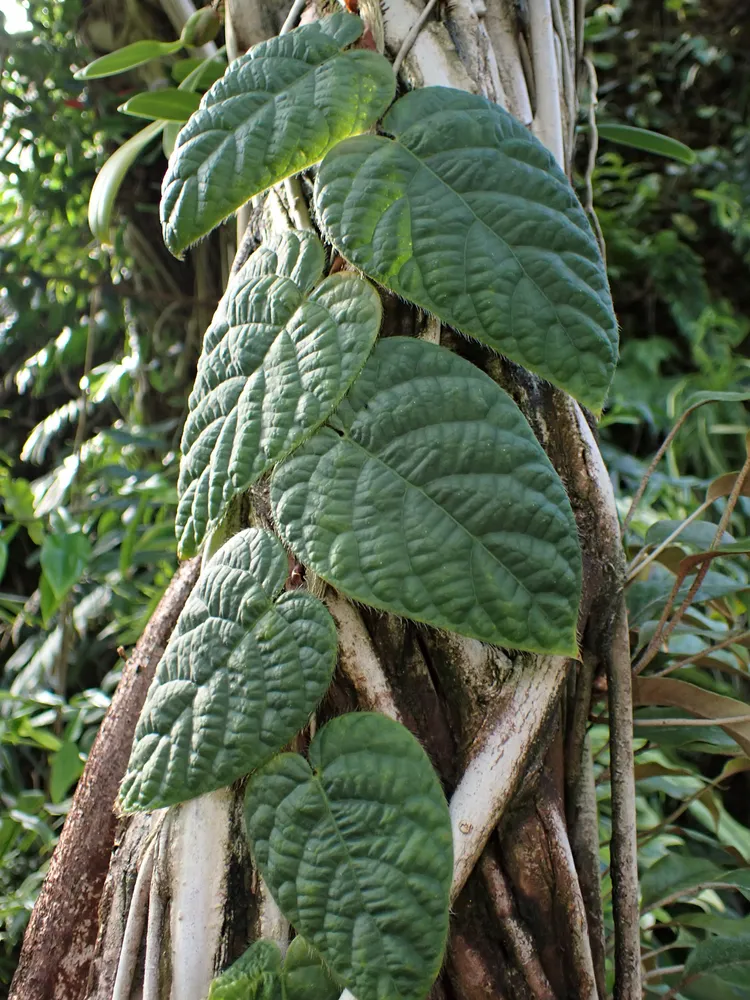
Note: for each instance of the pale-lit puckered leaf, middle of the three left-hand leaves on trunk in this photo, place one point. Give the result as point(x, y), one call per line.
point(279, 356)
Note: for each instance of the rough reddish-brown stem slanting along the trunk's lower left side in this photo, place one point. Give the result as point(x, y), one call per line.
point(59, 942)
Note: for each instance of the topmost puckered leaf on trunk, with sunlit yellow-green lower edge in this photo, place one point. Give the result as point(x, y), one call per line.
point(276, 110)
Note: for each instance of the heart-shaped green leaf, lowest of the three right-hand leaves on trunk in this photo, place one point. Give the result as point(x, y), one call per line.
point(356, 849)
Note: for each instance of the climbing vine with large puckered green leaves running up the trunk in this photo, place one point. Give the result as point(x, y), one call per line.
point(400, 474)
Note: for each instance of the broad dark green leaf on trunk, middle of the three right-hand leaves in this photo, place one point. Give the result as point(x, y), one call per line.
point(430, 497)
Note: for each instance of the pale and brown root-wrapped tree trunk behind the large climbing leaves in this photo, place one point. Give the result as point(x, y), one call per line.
point(506, 731)
